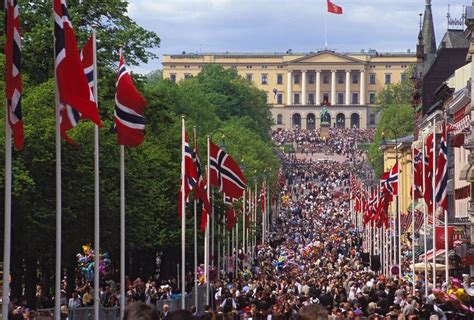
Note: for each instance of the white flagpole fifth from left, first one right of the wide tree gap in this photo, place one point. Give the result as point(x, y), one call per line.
point(183, 219)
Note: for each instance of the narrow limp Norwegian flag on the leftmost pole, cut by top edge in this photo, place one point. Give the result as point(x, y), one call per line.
point(13, 85)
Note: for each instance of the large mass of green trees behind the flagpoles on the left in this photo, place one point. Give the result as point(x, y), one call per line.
point(217, 101)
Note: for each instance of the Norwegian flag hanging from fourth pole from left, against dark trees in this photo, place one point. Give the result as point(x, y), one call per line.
point(129, 109)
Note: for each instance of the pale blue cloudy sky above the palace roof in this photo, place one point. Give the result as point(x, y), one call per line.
point(197, 26)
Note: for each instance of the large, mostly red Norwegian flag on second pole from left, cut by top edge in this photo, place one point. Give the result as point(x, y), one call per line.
point(73, 87)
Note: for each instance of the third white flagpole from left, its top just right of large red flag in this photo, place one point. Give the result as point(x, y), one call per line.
point(96, 188)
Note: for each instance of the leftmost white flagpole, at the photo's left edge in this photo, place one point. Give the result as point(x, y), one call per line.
point(7, 223)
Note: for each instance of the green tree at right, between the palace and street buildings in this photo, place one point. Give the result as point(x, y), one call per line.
point(396, 119)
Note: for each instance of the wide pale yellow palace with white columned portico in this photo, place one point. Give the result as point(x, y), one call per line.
point(300, 85)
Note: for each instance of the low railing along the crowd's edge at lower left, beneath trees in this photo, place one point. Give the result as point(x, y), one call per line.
point(87, 313)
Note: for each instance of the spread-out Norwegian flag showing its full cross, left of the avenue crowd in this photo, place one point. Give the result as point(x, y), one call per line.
point(225, 173)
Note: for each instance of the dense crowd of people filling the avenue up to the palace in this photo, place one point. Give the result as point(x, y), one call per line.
point(313, 265)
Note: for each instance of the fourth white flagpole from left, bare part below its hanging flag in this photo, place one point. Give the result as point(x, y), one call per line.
point(122, 231)
